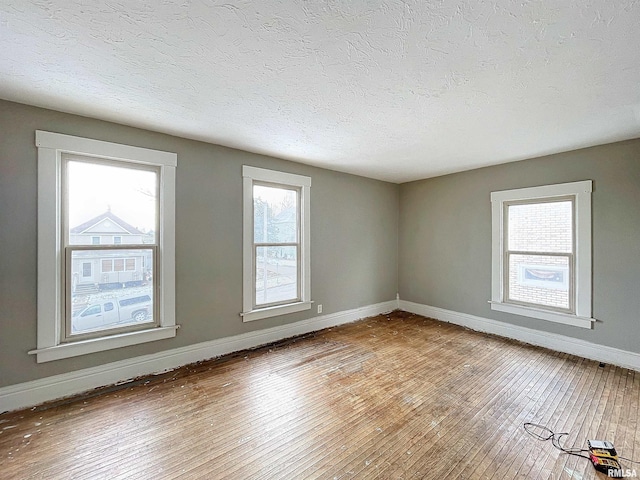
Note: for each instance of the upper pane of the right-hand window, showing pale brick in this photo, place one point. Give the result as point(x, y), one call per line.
point(540, 227)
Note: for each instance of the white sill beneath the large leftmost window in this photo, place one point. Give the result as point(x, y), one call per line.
point(66, 350)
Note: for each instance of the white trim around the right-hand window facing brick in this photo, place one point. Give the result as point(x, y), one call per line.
point(581, 191)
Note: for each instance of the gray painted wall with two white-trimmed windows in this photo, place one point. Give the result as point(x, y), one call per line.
point(354, 234)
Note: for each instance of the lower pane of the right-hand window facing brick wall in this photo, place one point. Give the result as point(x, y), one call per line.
point(539, 279)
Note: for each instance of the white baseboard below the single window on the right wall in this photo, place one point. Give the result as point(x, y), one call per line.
point(559, 343)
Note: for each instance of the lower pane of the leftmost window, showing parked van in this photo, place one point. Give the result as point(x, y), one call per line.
point(110, 299)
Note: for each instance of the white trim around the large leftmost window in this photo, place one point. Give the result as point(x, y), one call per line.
point(51, 147)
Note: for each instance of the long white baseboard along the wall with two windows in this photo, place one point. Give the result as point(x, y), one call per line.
point(32, 393)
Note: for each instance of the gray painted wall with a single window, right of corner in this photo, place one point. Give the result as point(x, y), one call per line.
point(445, 238)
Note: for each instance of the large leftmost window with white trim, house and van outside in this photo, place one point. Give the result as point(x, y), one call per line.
point(82, 280)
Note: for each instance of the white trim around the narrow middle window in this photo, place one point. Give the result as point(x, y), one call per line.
point(249, 176)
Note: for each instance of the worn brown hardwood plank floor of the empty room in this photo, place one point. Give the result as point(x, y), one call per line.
point(395, 396)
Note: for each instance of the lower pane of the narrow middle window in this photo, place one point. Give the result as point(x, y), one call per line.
point(276, 274)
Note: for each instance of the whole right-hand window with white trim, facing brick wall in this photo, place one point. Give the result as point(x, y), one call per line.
point(542, 252)
